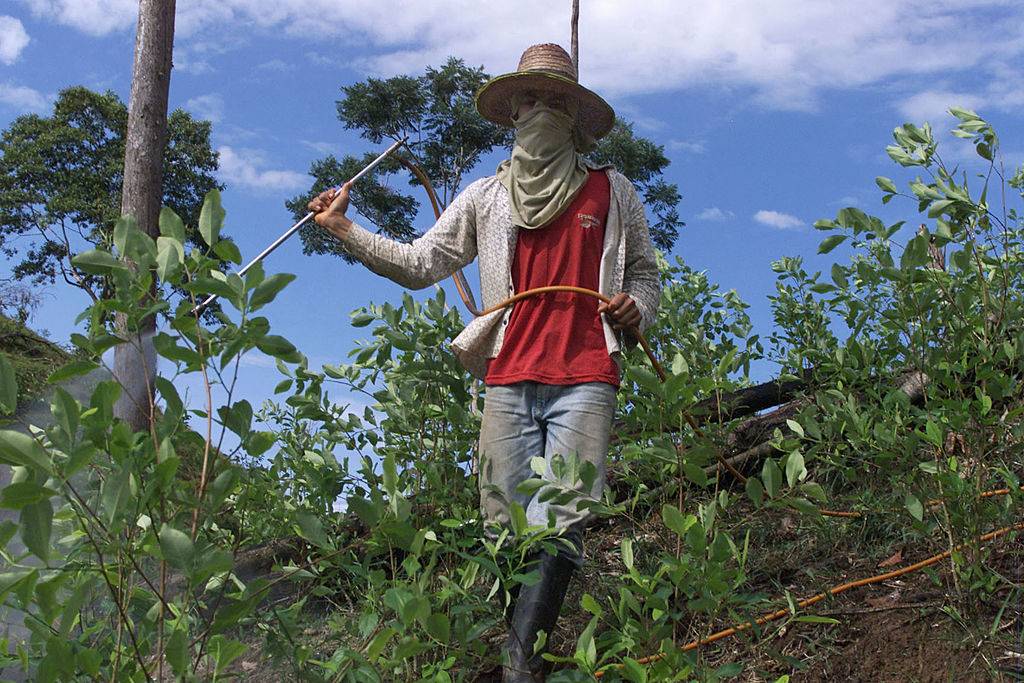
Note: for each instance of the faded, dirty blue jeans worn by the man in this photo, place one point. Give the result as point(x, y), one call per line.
point(528, 420)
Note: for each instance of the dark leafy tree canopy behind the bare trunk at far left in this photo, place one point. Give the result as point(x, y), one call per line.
point(61, 183)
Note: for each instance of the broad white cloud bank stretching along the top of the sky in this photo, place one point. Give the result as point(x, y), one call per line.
point(787, 53)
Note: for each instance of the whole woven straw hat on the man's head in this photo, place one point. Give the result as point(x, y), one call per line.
point(544, 68)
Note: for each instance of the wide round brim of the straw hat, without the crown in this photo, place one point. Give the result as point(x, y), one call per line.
point(494, 100)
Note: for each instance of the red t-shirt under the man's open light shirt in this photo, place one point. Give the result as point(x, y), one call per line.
point(558, 338)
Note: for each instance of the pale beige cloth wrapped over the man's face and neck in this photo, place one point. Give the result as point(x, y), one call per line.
point(545, 173)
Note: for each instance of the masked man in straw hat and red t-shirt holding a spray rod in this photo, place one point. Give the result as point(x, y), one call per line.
point(551, 362)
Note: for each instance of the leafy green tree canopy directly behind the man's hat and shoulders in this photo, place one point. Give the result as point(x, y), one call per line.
point(449, 139)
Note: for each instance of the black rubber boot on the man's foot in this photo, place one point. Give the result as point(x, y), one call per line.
point(536, 610)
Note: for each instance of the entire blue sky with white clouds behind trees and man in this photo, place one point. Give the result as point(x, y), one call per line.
point(775, 114)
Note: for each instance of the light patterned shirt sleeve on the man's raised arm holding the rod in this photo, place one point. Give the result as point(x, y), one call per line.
point(450, 245)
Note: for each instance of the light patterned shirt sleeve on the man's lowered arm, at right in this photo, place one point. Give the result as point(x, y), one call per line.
point(641, 280)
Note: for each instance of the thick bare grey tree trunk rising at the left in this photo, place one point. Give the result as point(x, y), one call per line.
point(135, 364)
